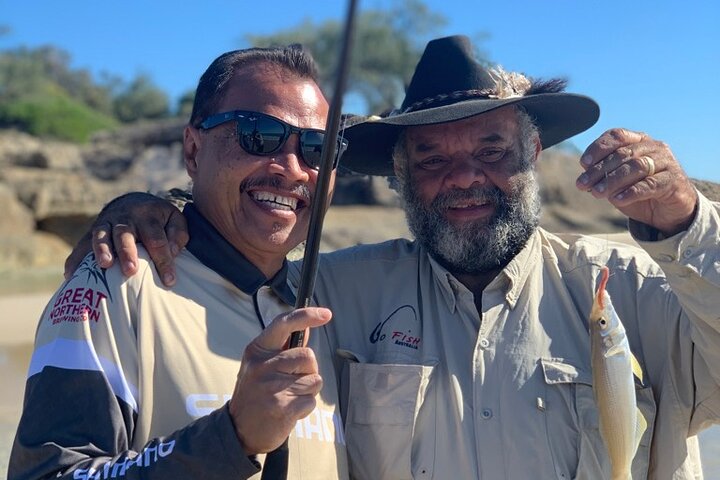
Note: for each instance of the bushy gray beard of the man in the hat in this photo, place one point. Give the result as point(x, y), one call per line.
point(475, 247)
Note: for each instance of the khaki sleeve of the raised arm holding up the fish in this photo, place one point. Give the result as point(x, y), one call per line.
point(691, 263)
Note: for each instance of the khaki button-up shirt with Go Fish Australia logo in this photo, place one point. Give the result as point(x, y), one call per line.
point(433, 388)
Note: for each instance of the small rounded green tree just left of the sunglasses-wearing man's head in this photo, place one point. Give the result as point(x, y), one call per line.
point(141, 100)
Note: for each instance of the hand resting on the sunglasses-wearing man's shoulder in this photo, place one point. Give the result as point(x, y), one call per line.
point(134, 217)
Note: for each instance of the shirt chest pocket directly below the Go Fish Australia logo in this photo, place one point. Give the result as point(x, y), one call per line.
point(383, 405)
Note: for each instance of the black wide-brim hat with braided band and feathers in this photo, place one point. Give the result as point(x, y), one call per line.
point(450, 84)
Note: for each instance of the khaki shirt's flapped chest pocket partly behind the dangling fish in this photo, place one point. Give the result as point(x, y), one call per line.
point(573, 430)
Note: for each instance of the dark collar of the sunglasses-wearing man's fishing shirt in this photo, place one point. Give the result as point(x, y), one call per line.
point(216, 253)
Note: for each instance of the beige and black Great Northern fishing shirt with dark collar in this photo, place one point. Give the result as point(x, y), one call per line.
point(130, 379)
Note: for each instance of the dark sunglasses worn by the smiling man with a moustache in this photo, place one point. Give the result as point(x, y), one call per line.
point(263, 134)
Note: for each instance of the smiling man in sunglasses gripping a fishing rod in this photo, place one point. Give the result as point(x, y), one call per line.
point(131, 379)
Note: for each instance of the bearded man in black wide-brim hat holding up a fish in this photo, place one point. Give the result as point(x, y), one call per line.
point(466, 352)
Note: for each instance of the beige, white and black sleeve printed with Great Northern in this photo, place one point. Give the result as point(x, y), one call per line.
point(81, 402)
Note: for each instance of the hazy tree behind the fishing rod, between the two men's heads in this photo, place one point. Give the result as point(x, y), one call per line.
point(387, 46)
